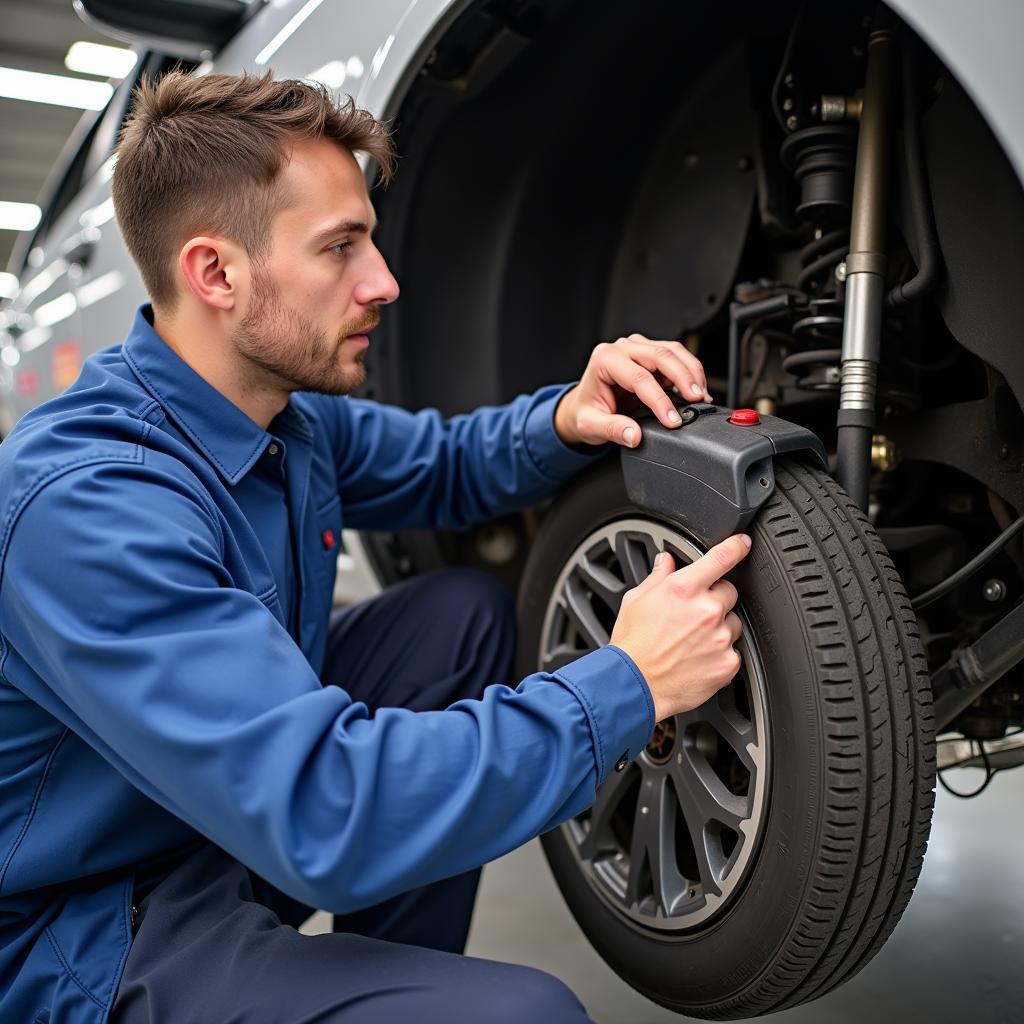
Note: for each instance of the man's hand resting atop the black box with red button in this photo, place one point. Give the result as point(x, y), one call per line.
point(623, 377)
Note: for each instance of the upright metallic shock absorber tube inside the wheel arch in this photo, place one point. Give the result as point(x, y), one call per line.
point(866, 270)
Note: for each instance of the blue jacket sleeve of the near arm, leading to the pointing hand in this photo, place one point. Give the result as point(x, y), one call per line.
point(118, 615)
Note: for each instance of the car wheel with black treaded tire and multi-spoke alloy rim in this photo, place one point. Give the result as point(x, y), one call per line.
point(845, 756)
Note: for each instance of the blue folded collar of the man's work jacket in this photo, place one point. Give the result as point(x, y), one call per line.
point(229, 439)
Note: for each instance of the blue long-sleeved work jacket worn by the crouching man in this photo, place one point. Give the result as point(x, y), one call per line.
point(156, 695)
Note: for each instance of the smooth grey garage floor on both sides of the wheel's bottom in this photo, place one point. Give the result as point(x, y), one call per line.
point(956, 958)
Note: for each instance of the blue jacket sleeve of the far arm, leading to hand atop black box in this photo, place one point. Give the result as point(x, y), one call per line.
point(400, 471)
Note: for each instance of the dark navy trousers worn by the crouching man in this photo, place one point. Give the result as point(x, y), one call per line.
point(216, 944)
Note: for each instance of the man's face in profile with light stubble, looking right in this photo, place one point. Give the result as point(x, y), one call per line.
point(318, 295)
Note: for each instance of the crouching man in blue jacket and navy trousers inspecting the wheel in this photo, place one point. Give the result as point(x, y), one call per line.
point(195, 752)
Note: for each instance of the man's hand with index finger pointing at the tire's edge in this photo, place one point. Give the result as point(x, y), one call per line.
point(679, 628)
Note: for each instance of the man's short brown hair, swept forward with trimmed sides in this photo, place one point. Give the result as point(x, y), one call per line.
point(202, 155)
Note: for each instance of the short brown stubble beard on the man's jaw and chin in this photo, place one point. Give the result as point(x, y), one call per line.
point(285, 348)
